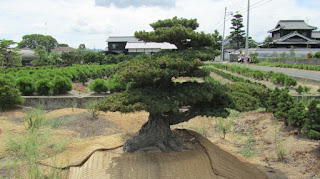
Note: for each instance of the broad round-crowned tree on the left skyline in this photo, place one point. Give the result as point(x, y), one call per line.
point(34, 40)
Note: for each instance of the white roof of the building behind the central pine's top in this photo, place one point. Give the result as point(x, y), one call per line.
point(150, 45)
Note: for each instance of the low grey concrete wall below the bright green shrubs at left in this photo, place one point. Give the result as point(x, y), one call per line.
point(59, 102)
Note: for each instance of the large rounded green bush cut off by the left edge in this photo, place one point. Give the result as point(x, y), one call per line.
point(9, 95)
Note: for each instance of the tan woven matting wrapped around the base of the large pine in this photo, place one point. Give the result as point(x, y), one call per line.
point(209, 162)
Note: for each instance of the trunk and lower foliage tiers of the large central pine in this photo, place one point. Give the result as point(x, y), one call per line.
point(151, 85)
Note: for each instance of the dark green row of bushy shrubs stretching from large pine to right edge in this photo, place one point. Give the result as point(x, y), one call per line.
point(305, 117)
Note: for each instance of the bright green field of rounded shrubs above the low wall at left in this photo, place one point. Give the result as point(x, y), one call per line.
point(52, 80)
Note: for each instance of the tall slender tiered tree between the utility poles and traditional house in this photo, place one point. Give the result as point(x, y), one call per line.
point(237, 33)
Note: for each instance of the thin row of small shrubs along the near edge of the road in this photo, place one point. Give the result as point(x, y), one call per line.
point(276, 78)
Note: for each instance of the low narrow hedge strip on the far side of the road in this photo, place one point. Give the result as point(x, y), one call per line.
point(296, 66)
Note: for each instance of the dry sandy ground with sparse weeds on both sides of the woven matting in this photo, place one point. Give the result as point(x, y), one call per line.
point(254, 137)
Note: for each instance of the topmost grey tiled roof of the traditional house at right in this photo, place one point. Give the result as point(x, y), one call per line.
point(292, 25)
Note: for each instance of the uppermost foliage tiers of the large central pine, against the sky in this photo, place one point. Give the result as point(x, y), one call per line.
point(180, 32)
